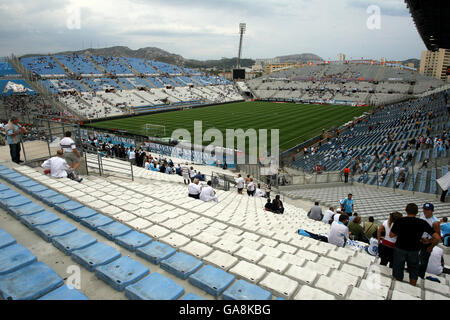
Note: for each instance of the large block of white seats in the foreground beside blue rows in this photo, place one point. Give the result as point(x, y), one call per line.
point(196, 228)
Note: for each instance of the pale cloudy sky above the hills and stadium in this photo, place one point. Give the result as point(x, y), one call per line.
point(209, 29)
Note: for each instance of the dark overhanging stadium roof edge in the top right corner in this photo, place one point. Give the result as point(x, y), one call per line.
point(431, 19)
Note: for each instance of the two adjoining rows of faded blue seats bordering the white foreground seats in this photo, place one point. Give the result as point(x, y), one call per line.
point(122, 273)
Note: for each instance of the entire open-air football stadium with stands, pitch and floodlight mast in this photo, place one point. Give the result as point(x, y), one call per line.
point(127, 225)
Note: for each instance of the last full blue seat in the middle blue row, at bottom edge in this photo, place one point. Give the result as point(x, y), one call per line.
point(154, 287)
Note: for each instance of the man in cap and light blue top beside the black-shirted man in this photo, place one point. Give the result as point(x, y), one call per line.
point(425, 250)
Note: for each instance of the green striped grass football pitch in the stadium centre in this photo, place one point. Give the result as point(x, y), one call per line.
point(296, 122)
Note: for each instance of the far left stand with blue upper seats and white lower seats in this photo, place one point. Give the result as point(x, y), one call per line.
point(96, 87)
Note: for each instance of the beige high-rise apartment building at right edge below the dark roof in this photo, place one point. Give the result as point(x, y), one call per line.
point(435, 64)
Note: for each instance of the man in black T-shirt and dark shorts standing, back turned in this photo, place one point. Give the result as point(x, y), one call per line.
point(409, 231)
